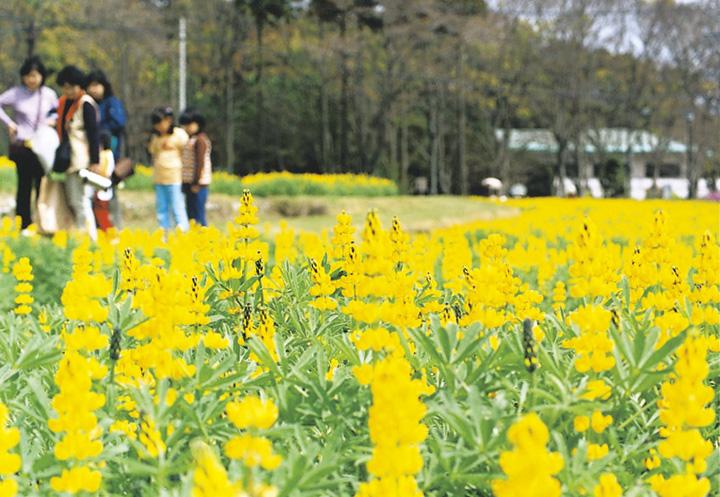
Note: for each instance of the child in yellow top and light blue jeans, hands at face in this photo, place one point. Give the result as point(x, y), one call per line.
point(166, 147)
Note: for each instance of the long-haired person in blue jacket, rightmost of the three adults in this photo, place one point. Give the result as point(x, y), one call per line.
point(112, 120)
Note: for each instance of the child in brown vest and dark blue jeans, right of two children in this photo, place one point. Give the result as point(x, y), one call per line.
point(197, 166)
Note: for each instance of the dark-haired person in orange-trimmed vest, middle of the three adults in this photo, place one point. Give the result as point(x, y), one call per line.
point(77, 123)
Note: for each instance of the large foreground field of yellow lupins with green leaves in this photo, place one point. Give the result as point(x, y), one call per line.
point(571, 350)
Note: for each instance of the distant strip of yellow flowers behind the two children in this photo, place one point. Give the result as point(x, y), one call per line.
point(284, 183)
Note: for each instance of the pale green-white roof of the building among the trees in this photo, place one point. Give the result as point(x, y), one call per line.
point(609, 140)
